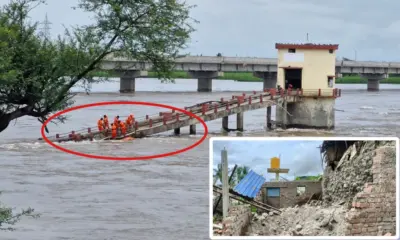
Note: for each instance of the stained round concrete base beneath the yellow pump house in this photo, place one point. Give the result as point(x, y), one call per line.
point(312, 113)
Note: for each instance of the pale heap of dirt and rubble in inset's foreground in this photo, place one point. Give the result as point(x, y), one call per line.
point(307, 220)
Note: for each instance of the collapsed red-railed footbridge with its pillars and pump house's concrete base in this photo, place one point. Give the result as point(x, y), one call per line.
point(290, 113)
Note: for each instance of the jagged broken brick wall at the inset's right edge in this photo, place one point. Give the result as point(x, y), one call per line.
point(373, 210)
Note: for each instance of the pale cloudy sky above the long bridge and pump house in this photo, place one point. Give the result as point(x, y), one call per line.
point(371, 29)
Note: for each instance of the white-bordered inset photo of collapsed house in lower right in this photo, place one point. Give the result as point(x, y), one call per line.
point(330, 188)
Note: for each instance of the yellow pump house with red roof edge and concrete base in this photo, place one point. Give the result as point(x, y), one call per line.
point(310, 67)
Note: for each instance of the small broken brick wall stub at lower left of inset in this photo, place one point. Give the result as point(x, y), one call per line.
point(238, 220)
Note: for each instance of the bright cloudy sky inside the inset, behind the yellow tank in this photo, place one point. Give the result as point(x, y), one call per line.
point(301, 157)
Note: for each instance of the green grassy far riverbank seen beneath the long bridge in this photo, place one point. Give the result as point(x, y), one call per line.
point(248, 77)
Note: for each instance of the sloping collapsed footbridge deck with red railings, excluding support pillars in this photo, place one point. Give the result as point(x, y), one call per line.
point(207, 111)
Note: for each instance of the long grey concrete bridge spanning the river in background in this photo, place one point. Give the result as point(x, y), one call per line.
point(207, 68)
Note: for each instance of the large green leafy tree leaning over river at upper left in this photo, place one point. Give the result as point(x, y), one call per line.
point(37, 74)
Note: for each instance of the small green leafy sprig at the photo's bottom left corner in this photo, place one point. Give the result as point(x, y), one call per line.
point(8, 218)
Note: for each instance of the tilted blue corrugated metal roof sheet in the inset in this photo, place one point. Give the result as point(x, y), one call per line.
point(250, 185)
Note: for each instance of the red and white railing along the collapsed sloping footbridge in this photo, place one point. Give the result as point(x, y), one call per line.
point(226, 103)
